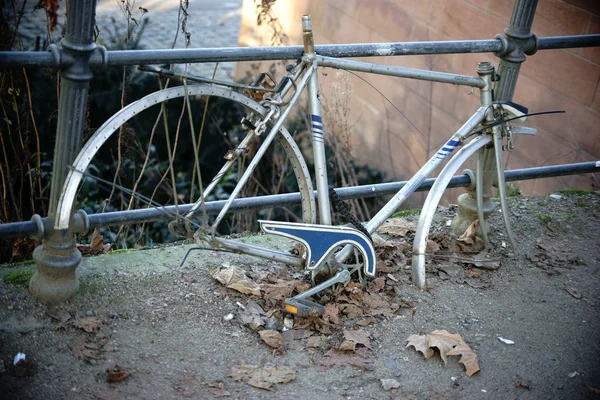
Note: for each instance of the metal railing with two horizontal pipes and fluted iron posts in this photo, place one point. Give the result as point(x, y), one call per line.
point(77, 55)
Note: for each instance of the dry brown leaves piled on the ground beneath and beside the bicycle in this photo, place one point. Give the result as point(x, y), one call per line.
point(328, 338)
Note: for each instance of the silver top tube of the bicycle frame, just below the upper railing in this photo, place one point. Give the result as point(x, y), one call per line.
point(401, 72)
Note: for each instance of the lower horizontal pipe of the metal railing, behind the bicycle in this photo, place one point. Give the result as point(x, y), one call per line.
point(19, 229)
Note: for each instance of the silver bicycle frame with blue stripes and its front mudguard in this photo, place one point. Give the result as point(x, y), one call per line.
point(304, 77)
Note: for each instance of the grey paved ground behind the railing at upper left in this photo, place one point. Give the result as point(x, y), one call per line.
point(210, 23)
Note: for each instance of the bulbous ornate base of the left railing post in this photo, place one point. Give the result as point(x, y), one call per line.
point(55, 280)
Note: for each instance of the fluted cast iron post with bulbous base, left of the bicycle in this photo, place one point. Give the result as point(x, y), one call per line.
point(57, 258)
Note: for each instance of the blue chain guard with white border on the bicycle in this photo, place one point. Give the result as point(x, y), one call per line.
point(321, 240)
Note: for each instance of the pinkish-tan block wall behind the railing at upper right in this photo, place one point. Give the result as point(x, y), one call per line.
point(550, 80)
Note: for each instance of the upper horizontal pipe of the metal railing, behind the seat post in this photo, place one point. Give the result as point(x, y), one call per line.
point(12, 59)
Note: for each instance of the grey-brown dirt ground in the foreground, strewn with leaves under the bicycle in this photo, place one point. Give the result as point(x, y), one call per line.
point(176, 332)
